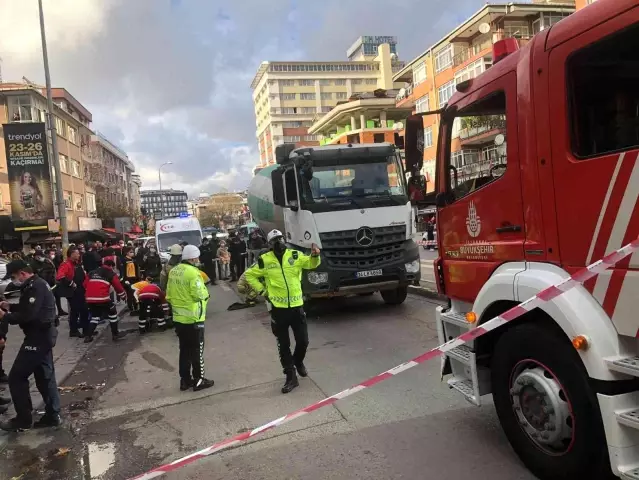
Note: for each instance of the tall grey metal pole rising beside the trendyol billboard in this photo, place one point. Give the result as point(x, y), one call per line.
point(62, 211)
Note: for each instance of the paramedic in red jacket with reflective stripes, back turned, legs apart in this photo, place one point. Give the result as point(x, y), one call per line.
point(98, 285)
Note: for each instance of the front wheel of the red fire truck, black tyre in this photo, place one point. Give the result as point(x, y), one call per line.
point(546, 406)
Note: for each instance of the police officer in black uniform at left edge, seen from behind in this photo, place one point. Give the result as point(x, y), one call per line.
point(36, 316)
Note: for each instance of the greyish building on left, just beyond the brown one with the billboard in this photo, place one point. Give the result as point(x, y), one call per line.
point(110, 173)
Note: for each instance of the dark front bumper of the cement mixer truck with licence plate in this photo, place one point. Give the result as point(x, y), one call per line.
point(342, 282)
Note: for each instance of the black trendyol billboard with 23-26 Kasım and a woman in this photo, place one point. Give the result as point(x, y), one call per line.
point(29, 175)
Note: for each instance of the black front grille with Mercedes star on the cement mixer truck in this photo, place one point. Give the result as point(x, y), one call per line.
point(342, 251)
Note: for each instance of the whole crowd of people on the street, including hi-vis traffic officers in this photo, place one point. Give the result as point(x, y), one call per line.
point(93, 277)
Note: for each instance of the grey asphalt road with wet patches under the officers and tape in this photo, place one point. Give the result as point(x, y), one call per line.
point(408, 427)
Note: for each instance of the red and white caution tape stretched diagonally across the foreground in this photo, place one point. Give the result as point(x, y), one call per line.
point(542, 297)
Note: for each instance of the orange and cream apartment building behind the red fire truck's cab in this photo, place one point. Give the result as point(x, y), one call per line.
point(429, 80)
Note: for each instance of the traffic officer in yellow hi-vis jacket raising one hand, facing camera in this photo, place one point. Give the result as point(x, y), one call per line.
point(281, 268)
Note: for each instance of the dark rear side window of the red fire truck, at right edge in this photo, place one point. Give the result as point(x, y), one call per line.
point(604, 120)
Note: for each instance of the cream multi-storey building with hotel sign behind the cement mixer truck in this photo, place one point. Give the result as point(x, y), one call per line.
point(289, 96)
